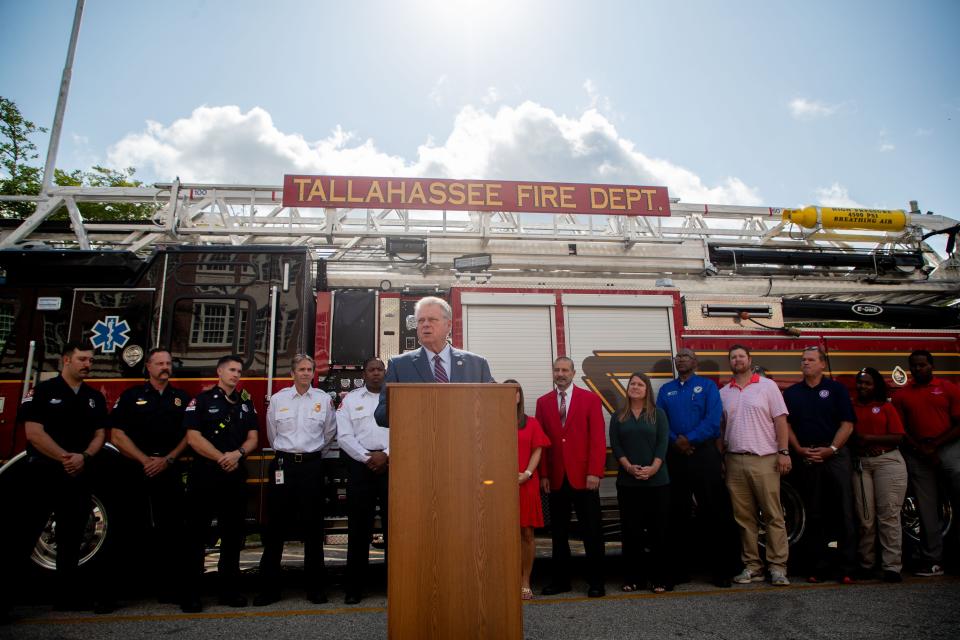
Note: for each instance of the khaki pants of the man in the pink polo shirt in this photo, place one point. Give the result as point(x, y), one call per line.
point(753, 481)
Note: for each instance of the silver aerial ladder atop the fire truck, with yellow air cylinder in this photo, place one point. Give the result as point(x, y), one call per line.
point(717, 249)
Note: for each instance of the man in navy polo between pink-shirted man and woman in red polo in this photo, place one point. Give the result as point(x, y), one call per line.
point(821, 420)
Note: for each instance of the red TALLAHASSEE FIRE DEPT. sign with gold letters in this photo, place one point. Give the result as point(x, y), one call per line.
point(354, 192)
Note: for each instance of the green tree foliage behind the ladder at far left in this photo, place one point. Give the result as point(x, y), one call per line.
point(17, 177)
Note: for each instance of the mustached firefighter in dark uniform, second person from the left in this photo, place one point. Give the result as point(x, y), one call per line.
point(147, 427)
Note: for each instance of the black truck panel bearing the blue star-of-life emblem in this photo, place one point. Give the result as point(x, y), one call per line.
point(116, 323)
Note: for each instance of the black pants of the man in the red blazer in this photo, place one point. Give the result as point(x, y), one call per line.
point(587, 505)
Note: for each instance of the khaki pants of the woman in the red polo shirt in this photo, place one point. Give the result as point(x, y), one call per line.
point(879, 491)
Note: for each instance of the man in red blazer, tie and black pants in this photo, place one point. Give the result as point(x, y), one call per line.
point(570, 472)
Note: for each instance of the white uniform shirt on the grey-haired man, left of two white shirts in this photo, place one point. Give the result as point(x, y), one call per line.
point(300, 423)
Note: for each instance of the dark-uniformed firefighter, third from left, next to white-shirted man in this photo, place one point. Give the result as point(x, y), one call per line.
point(221, 428)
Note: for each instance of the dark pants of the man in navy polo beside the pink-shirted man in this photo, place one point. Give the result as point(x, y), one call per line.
point(827, 491)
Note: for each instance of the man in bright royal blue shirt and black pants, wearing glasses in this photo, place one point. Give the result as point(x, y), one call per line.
point(693, 407)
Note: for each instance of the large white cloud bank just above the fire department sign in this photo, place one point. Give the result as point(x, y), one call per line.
point(526, 142)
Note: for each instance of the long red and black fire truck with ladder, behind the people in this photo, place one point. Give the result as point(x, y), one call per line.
point(239, 269)
